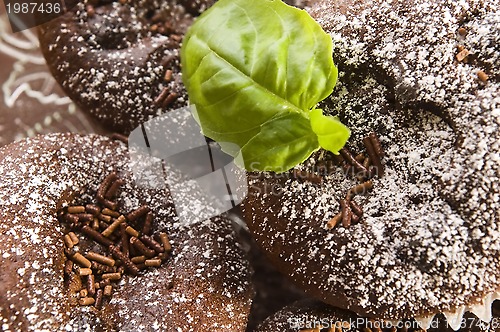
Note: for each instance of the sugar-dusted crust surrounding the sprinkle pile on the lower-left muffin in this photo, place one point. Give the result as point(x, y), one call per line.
point(204, 285)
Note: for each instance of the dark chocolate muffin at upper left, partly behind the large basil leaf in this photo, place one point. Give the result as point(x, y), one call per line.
point(112, 58)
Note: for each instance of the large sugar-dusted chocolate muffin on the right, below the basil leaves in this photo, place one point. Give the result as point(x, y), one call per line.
point(430, 237)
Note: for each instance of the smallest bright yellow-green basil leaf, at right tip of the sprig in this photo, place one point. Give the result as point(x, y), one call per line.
point(332, 134)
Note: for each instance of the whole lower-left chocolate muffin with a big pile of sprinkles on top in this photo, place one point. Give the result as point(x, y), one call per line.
point(84, 248)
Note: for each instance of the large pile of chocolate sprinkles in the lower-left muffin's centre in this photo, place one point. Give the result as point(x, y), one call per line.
point(127, 244)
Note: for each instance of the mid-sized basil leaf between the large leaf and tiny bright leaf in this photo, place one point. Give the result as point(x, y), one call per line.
point(281, 144)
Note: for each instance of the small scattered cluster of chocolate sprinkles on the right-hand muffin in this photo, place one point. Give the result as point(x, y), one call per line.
point(363, 168)
